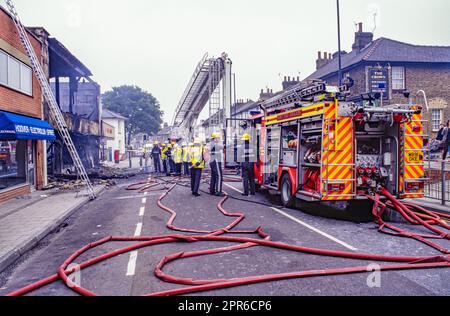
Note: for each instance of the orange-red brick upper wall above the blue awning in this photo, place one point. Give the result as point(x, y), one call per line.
point(11, 100)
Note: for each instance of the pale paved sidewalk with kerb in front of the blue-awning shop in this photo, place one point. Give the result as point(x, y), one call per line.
point(26, 220)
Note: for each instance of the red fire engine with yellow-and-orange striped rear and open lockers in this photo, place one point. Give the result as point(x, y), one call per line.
point(316, 143)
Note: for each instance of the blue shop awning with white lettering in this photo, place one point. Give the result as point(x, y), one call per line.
point(14, 126)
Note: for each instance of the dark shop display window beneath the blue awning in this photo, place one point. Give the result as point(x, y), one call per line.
point(13, 163)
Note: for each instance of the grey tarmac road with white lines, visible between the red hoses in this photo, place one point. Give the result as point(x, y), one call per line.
point(119, 212)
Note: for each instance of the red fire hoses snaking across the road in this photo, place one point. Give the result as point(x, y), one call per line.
point(398, 262)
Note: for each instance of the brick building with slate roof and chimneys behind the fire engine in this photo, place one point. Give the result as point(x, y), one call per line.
point(399, 67)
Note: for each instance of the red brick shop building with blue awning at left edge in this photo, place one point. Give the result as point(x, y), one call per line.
point(23, 132)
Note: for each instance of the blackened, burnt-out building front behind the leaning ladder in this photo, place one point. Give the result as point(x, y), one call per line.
point(78, 97)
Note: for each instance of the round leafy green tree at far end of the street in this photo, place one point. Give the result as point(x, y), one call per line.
point(140, 106)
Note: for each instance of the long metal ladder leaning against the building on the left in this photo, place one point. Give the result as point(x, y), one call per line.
point(55, 112)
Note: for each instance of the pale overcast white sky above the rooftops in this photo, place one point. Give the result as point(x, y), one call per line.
point(156, 44)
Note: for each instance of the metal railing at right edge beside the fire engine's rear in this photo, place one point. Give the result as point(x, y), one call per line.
point(438, 184)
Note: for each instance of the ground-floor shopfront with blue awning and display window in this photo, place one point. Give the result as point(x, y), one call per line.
point(19, 164)
